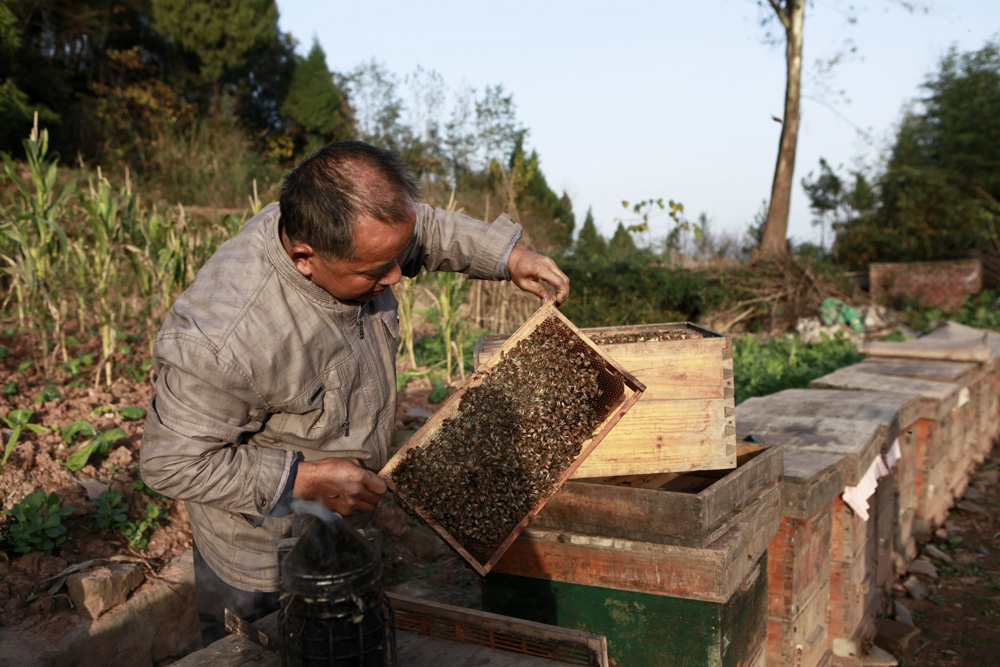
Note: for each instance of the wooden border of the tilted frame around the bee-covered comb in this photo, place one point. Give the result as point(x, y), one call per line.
point(612, 371)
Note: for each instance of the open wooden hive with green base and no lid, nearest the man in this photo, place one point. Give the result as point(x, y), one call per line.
point(671, 568)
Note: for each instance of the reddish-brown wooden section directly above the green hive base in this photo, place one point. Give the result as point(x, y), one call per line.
point(711, 573)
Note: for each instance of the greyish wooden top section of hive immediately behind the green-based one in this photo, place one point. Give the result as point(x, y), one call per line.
point(811, 481)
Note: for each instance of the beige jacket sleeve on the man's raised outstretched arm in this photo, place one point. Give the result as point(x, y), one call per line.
point(450, 241)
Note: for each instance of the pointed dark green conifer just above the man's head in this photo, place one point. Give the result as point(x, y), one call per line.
point(315, 102)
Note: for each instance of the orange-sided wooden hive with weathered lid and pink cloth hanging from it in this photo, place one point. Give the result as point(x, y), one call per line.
point(855, 426)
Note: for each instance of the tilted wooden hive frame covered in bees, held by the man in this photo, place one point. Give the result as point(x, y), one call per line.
point(490, 458)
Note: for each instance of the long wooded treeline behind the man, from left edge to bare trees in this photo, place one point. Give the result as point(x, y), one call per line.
point(199, 98)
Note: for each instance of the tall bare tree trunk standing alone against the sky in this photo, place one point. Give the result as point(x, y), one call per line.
point(774, 243)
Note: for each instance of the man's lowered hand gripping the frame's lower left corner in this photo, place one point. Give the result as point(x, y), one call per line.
point(340, 484)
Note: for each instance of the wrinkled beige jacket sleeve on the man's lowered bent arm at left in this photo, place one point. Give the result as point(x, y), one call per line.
point(191, 447)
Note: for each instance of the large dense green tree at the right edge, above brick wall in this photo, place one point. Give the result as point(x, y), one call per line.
point(934, 198)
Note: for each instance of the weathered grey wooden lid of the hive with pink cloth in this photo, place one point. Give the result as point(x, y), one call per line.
point(896, 411)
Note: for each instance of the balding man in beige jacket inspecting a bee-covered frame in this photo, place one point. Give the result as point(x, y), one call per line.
point(276, 367)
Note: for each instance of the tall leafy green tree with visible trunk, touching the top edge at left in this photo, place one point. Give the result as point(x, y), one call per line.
point(220, 33)
